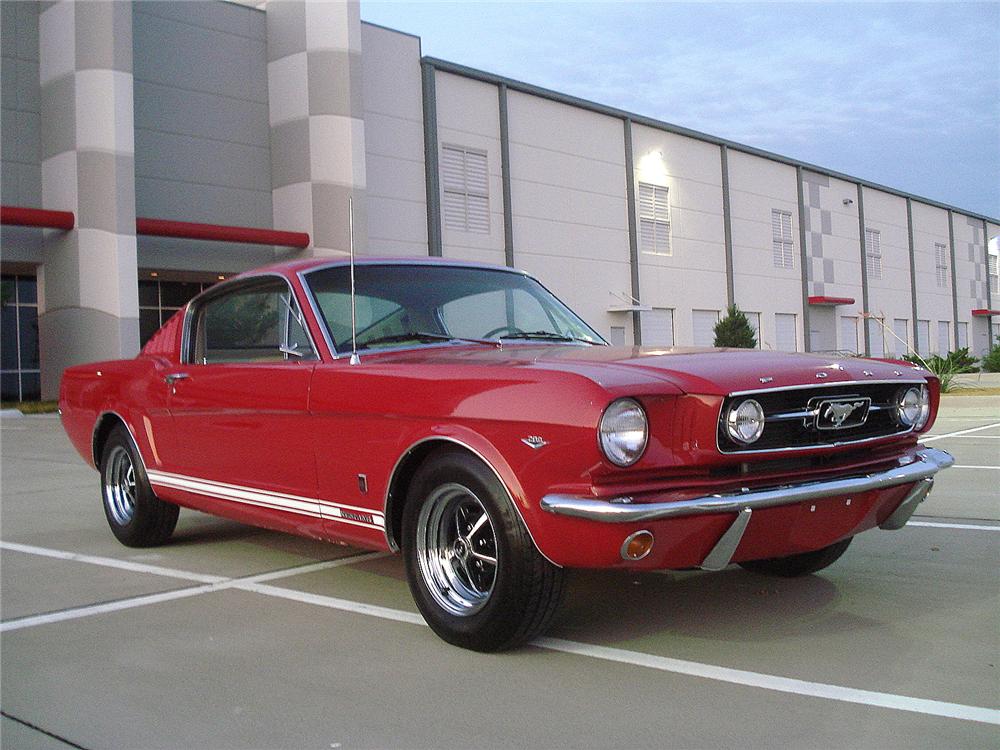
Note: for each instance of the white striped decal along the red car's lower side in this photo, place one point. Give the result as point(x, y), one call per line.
point(307, 506)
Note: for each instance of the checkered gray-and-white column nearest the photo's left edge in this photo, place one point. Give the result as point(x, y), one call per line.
point(88, 291)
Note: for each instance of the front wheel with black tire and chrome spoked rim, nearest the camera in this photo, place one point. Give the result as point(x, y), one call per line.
point(472, 568)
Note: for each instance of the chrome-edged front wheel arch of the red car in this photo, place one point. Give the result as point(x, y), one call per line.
point(415, 456)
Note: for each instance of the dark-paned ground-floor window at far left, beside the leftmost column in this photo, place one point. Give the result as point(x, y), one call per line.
point(20, 375)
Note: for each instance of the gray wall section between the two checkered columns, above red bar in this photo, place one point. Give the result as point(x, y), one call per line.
point(202, 138)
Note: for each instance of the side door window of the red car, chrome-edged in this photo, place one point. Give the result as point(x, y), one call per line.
point(260, 323)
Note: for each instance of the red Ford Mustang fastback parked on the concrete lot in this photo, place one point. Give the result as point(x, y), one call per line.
point(493, 437)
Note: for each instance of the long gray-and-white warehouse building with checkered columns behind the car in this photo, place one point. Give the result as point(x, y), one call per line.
point(150, 149)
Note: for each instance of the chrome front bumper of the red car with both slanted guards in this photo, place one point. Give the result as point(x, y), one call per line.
point(918, 470)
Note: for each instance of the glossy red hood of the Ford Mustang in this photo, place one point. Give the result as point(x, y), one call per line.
point(691, 370)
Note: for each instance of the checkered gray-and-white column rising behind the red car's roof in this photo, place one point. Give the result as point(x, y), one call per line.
point(317, 121)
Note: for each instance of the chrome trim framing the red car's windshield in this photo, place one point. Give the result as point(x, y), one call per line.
point(320, 320)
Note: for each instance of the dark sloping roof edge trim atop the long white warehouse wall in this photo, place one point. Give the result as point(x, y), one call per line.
point(556, 96)
